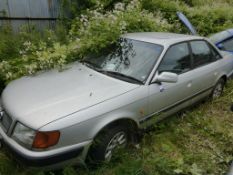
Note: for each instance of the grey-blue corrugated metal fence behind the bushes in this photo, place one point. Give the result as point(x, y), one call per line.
point(39, 13)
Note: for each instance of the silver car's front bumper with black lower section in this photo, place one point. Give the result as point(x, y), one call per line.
point(46, 158)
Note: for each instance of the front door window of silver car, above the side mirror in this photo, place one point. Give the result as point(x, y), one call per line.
point(176, 60)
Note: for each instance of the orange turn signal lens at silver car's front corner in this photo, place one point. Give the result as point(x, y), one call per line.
point(46, 139)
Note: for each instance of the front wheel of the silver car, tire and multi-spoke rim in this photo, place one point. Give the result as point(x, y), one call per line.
point(107, 143)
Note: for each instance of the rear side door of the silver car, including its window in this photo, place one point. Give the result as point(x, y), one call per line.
point(205, 67)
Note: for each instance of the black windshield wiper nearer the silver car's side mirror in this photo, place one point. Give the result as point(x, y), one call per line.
point(122, 76)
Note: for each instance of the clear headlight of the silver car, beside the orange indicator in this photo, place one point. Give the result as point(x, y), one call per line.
point(23, 135)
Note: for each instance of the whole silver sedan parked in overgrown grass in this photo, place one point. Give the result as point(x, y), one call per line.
point(97, 105)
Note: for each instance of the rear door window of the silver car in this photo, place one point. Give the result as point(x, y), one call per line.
point(201, 53)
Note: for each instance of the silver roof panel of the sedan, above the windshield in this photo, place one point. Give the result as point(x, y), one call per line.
point(160, 37)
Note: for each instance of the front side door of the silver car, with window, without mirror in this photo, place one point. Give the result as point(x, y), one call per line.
point(164, 97)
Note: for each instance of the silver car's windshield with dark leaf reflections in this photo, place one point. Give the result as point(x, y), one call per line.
point(127, 59)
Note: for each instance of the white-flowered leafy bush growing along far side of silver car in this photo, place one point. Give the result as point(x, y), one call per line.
point(91, 32)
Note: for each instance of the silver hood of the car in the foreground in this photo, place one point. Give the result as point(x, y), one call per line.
point(41, 99)
